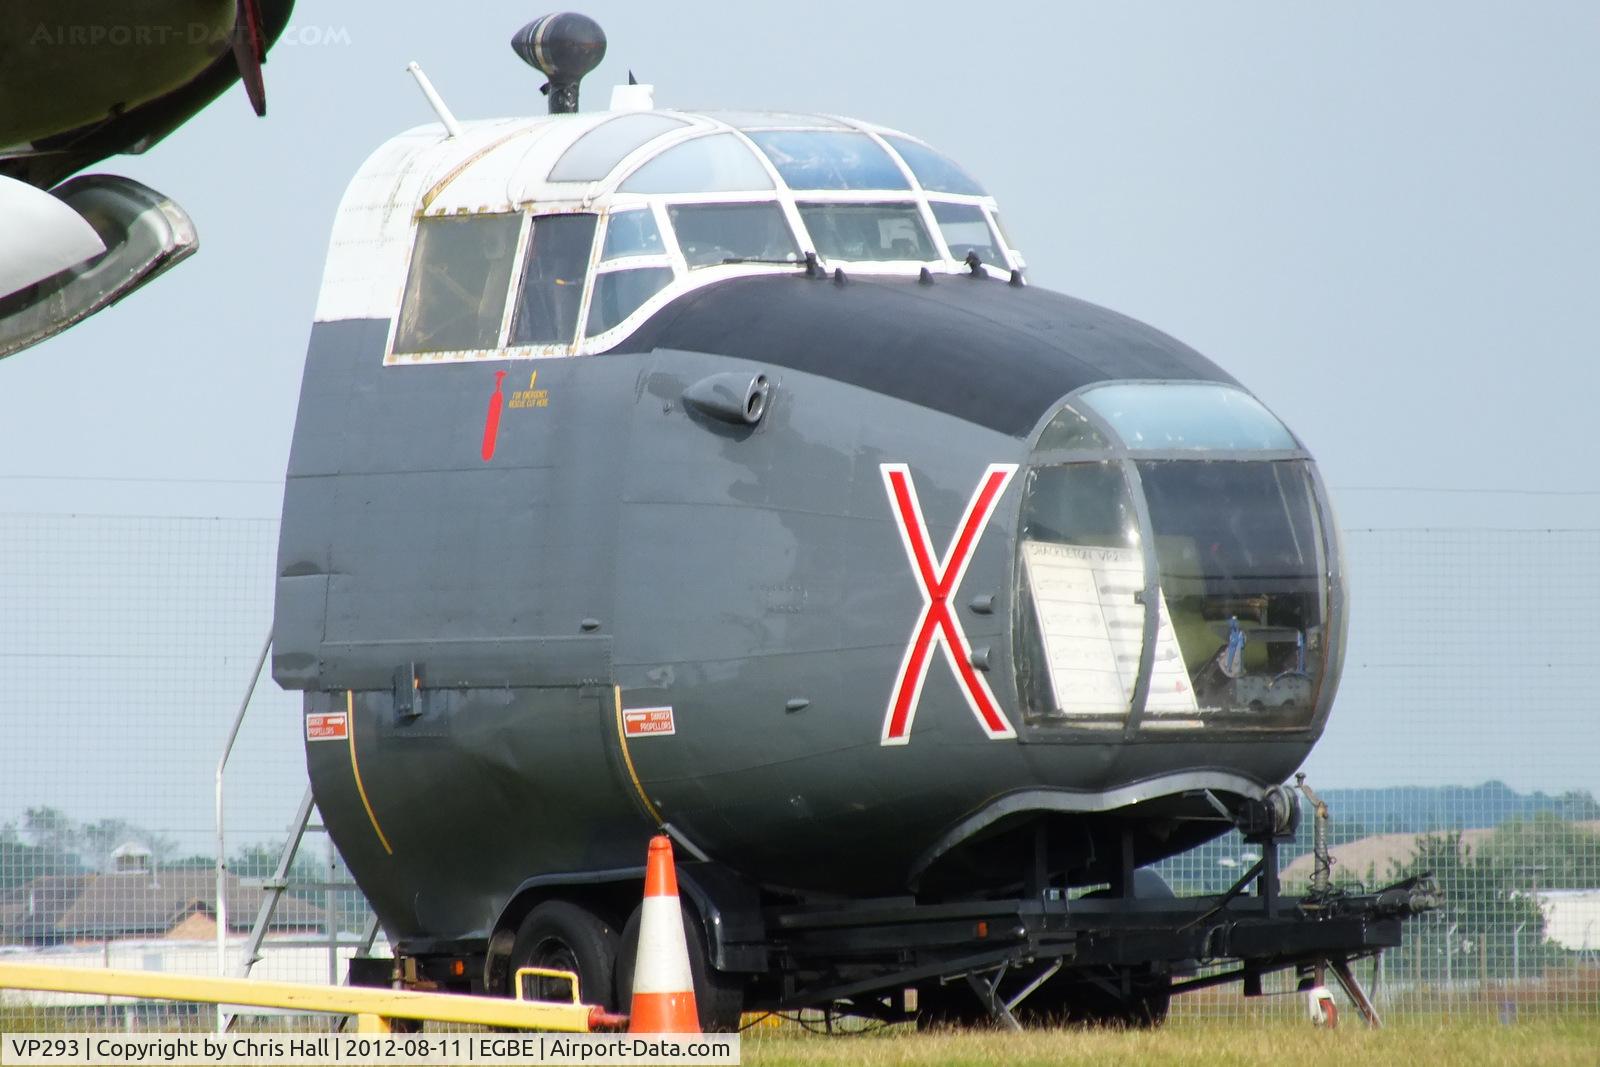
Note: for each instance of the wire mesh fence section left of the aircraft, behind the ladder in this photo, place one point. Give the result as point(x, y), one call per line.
point(127, 645)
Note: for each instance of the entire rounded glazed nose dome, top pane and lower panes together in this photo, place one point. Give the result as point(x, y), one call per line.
point(1178, 569)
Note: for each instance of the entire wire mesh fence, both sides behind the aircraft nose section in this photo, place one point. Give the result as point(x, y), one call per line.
point(1463, 743)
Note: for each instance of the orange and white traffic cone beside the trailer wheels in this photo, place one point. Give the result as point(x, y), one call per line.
point(663, 985)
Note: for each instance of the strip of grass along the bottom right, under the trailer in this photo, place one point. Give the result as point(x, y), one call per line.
point(1198, 1044)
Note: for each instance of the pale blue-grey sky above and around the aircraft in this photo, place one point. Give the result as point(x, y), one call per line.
point(1382, 218)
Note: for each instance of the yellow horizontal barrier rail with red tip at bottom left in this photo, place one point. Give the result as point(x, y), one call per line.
point(374, 1009)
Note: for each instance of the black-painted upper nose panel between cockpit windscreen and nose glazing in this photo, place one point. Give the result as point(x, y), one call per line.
point(994, 354)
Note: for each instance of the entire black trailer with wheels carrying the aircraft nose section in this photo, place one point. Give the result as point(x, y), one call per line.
point(1108, 957)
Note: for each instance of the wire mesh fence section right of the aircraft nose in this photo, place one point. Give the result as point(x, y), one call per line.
point(1463, 743)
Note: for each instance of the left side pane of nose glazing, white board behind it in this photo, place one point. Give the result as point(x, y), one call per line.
point(1082, 597)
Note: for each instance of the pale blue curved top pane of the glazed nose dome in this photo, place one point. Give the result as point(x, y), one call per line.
point(1188, 417)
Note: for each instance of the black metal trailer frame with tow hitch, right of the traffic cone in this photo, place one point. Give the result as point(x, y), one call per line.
point(878, 957)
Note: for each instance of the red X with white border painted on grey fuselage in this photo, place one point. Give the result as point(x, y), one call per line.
point(938, 581)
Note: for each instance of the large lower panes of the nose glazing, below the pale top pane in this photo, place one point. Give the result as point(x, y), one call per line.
point(1239, 610)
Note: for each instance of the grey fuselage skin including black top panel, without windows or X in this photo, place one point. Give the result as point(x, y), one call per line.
point(750, 578)
